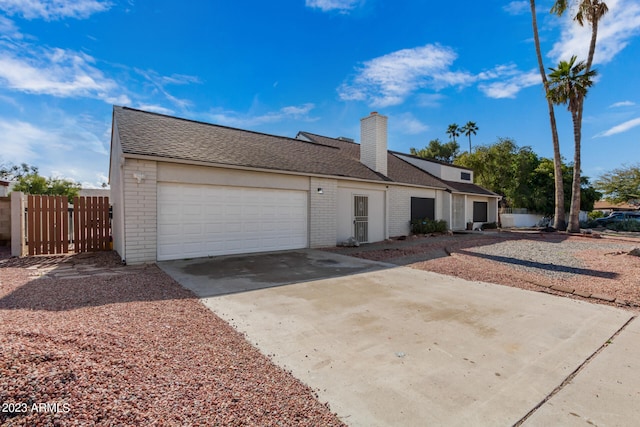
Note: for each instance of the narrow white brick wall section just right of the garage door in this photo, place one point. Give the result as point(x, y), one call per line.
point(323, 221)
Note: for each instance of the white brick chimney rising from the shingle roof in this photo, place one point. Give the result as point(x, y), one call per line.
point(373, 142)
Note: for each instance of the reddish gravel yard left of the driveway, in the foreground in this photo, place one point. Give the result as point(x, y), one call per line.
point(134, 349)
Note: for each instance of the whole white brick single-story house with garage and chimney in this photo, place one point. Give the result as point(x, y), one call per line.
point(185, 189)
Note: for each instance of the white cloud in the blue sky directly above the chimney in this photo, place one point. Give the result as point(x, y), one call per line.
point(390, 79)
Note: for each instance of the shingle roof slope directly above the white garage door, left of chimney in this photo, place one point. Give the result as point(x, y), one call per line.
point(156, 135)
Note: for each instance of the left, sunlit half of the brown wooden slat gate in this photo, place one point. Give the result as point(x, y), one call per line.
point(47, 225)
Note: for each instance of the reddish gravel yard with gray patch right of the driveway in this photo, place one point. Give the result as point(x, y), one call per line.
point(588, 266)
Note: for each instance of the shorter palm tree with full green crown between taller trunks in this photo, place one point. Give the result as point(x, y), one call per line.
point(568, 85)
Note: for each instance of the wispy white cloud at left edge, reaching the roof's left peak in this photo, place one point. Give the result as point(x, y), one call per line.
point(57, 72)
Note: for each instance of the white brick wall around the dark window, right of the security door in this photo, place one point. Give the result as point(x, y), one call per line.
point(400, 207)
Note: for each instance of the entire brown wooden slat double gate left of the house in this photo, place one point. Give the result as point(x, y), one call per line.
point(54, 228)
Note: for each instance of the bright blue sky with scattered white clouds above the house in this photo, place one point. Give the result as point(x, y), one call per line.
point(311, 65)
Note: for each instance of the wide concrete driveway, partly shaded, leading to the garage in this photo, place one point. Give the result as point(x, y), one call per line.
point(390, 346)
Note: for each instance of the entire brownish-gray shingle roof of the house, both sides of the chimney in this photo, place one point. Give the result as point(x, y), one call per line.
point(156, 135)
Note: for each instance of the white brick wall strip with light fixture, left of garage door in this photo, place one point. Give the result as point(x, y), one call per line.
point(140, 211)
